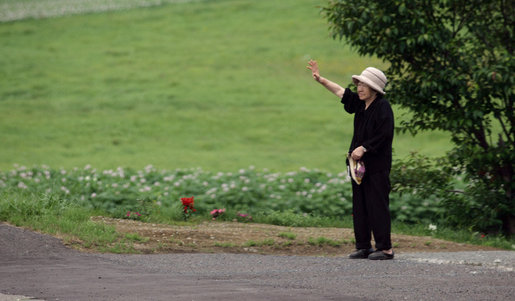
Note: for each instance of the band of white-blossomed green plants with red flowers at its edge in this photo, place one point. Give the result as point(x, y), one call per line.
point(118, 191)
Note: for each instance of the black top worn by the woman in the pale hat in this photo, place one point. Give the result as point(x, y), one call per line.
point(373, 129)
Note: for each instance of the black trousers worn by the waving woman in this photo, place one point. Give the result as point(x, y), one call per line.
point(371, 212)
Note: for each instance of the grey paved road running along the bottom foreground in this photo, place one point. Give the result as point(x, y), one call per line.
point(39, 266)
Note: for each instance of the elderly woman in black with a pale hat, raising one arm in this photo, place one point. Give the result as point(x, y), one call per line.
point(372, 145)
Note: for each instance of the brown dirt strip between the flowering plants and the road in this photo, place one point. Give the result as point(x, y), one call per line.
point(235, 237)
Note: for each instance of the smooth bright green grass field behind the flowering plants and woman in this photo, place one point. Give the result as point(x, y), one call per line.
point(214, 84)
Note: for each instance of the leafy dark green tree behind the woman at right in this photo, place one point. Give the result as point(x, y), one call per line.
point(451, 64)
